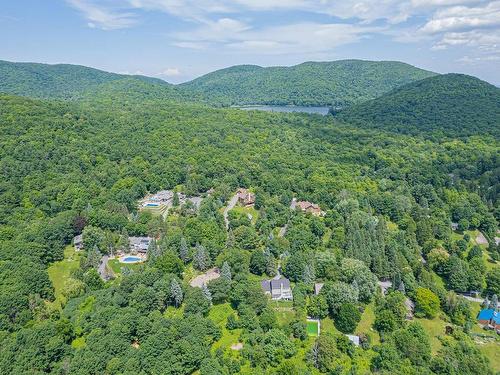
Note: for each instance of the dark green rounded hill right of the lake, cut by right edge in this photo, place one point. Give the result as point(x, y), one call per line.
point(449, 105)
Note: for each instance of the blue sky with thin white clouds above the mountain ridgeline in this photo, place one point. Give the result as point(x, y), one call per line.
point(179, 40)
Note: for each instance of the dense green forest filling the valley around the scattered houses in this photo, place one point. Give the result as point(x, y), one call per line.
point(394, 249)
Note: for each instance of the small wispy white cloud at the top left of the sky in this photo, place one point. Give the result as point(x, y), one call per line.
point(100, 17)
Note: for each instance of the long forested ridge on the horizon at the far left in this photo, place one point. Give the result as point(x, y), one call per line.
point(65, 81)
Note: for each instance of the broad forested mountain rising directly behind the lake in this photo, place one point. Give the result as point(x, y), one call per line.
point(336, 83)
